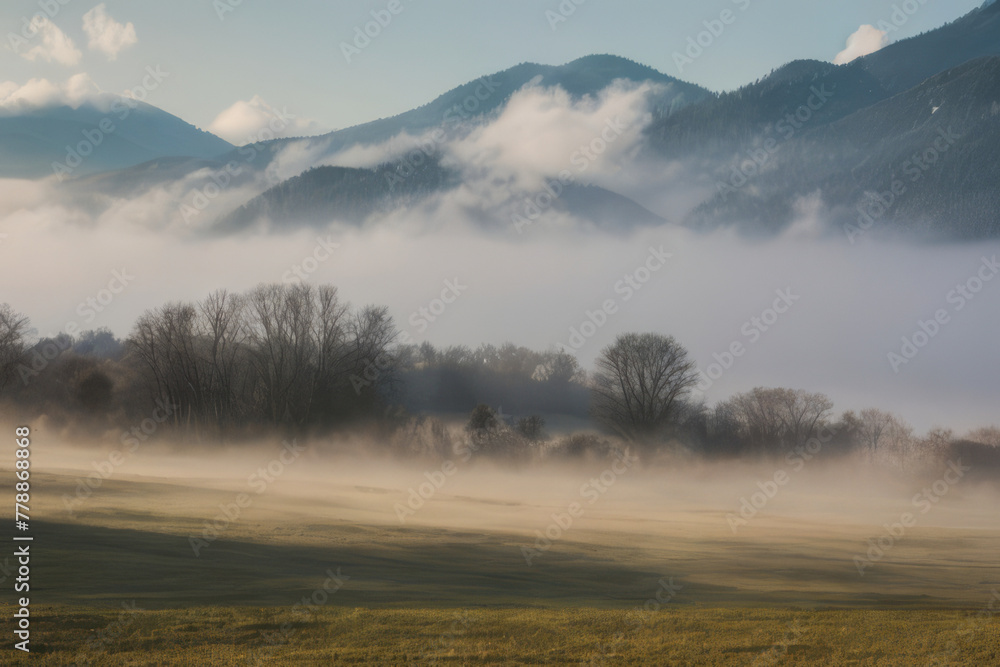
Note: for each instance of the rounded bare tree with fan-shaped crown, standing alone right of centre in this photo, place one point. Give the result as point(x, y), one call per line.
point(639, 383)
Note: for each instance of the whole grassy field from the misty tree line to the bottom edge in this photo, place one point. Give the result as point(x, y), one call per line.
point(319, 570)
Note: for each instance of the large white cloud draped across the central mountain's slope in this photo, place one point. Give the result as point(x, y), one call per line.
point(539, 133)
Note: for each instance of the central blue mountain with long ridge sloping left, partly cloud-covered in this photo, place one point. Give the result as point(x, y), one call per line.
point(454, 111)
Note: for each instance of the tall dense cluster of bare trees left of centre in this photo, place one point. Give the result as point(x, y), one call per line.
point(279, 354)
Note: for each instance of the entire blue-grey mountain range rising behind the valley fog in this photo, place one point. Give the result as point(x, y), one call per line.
point(830, 139)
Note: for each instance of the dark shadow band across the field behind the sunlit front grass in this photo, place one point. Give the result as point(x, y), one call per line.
point(94, 565)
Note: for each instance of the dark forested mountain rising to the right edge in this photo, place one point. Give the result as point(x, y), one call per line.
point(841, 135)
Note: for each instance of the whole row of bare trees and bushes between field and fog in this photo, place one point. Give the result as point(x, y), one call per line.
point(298, 359)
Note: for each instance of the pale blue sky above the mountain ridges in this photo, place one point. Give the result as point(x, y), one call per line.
point(289, 53)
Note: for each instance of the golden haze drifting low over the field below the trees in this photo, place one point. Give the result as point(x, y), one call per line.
point(675, 518)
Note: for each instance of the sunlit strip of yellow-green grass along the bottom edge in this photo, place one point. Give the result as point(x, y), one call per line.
point(682, 635)
